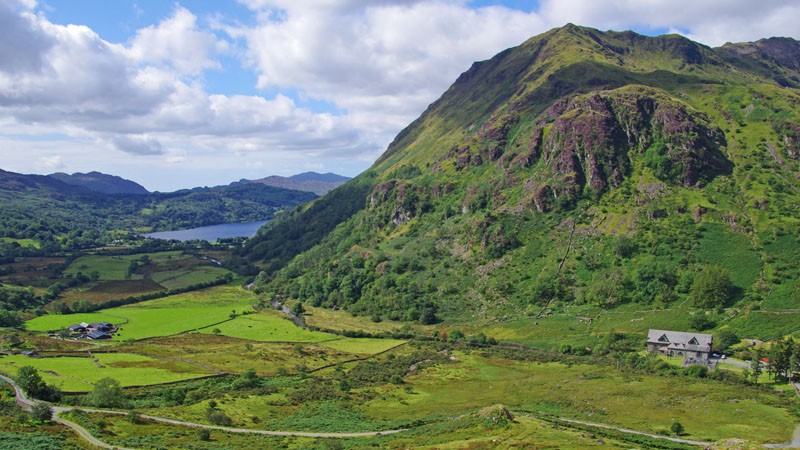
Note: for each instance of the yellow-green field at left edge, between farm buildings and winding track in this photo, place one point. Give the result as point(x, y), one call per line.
point(76, 374)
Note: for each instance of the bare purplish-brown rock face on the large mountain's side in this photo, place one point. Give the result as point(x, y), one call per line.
point(588, 141)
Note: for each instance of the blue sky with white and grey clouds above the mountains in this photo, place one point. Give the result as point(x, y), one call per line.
point(192, 93)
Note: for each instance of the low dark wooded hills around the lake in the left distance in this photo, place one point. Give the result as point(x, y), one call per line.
point(47, 209)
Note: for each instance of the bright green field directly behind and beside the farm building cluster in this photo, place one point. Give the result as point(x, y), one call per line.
point(162, 317)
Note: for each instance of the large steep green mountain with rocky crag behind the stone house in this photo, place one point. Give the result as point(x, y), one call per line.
point(581, 169)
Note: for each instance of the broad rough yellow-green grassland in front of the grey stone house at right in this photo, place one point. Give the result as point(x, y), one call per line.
point(709, 410)
